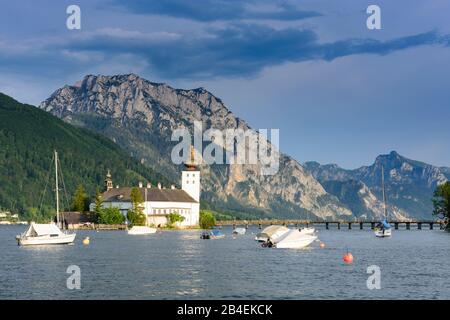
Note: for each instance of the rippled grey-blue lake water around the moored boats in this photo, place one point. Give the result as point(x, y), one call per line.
point(179, 265)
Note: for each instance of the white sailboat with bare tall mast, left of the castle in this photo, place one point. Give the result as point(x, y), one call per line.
point(51, 233)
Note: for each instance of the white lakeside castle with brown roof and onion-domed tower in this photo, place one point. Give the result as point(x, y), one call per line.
point(159, 202)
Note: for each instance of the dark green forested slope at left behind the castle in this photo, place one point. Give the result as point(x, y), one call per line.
point(28, 137)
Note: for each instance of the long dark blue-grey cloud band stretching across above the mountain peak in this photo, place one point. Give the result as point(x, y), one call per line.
point(236, 50)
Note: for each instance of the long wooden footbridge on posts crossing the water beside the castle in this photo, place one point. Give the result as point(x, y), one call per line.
point(332, 224)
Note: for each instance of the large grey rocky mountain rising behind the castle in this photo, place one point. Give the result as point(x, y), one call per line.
point(141, 115)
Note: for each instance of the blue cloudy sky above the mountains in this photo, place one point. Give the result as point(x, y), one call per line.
point(337, 91)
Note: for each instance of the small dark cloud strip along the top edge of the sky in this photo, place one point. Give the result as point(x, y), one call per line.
point(214, 10)
